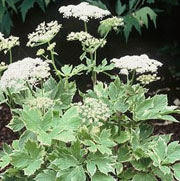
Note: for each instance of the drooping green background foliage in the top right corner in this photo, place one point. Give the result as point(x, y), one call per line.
point(136, 14)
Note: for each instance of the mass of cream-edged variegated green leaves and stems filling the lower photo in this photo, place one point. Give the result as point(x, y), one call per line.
point(60, 141)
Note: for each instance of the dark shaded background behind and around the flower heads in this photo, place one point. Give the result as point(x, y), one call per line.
point(161, 43)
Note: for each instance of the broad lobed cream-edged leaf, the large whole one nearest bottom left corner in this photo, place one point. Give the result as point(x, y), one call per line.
point(29, 159)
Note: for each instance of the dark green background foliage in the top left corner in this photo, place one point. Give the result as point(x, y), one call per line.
point(9, 7)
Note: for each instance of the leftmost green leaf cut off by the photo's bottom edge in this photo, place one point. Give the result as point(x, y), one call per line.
point(49, 175)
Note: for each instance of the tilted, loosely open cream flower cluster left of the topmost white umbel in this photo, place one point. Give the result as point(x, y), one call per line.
point(44, 33)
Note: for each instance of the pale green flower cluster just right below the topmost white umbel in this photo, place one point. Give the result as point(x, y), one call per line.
point(113, 23)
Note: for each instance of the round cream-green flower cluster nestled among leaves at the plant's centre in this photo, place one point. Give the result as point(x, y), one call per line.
point(93, 110)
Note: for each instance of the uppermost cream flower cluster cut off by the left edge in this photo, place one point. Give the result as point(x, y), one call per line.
point(7, 43)
